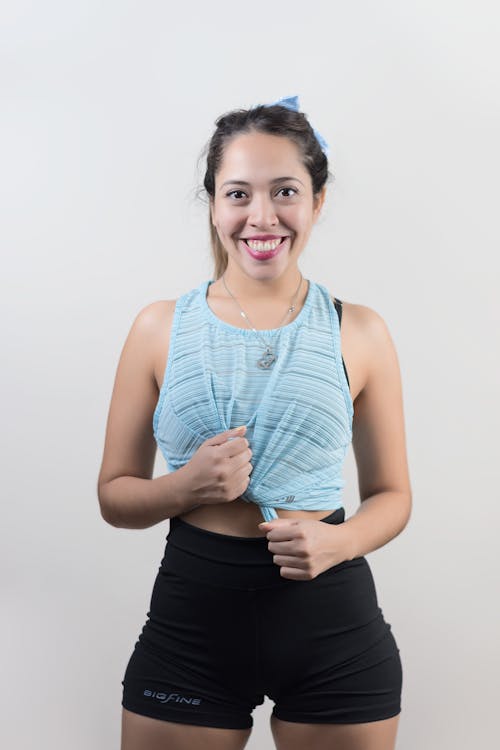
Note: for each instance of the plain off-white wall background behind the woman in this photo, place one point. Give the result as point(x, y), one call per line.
point(105, 108)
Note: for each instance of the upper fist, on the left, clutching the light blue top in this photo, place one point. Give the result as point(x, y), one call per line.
point(218, 471)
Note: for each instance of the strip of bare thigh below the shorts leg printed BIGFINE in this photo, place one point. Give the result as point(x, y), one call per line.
point(142, 732)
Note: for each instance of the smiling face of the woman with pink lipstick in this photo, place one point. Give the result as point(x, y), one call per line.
point(264, 192)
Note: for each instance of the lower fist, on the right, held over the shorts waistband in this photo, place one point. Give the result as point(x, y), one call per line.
point(304, 548)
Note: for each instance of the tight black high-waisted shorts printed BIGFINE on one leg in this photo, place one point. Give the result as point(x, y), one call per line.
point(225, 629)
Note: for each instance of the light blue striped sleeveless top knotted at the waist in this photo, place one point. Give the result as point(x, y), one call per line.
point(298, 412)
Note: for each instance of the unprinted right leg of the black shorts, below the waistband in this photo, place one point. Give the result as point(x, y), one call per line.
point(328, 655)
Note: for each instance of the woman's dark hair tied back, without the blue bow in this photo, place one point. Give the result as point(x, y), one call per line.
point(276, 120)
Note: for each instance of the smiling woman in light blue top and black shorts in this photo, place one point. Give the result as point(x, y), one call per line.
point(241, 609)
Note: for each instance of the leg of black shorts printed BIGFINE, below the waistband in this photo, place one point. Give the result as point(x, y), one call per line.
point(194, 660)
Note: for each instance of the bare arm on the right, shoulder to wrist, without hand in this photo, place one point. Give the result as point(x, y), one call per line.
point(379, 446)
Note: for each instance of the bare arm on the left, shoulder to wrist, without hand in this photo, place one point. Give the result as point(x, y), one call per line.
point(128, 496)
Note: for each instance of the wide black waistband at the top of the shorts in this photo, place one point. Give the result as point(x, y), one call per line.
point(224, 560)
